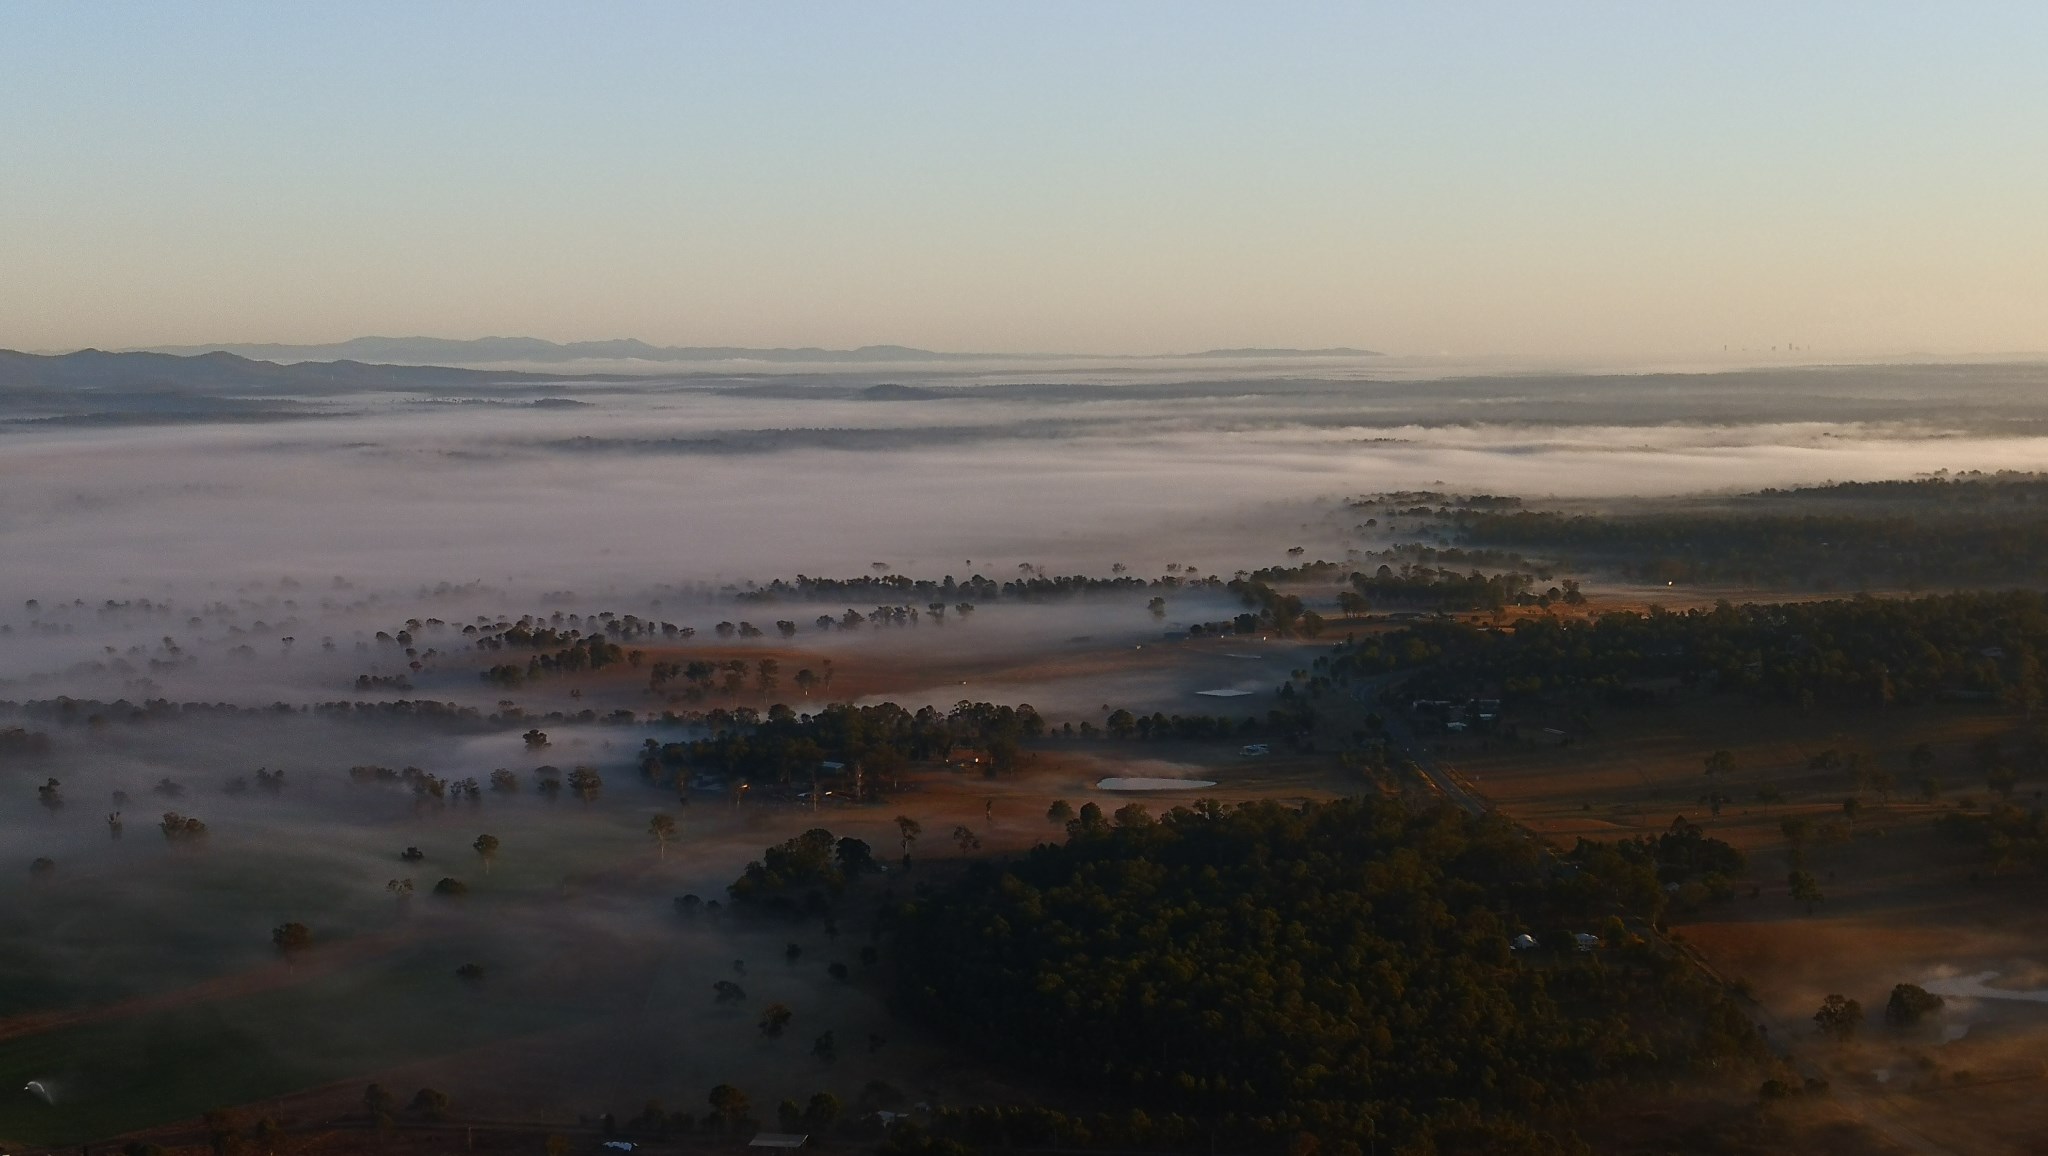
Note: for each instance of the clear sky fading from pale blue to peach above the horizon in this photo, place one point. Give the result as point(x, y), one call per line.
point(1469, 179)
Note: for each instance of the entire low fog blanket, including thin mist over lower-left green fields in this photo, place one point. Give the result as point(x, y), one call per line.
point(255, 563)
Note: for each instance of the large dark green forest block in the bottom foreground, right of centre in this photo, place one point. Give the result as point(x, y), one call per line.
point(1334, 979)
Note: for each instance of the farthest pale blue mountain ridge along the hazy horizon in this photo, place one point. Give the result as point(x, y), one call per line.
point(540, 352)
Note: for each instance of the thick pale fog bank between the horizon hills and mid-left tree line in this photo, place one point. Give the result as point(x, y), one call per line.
point(269, 552)
